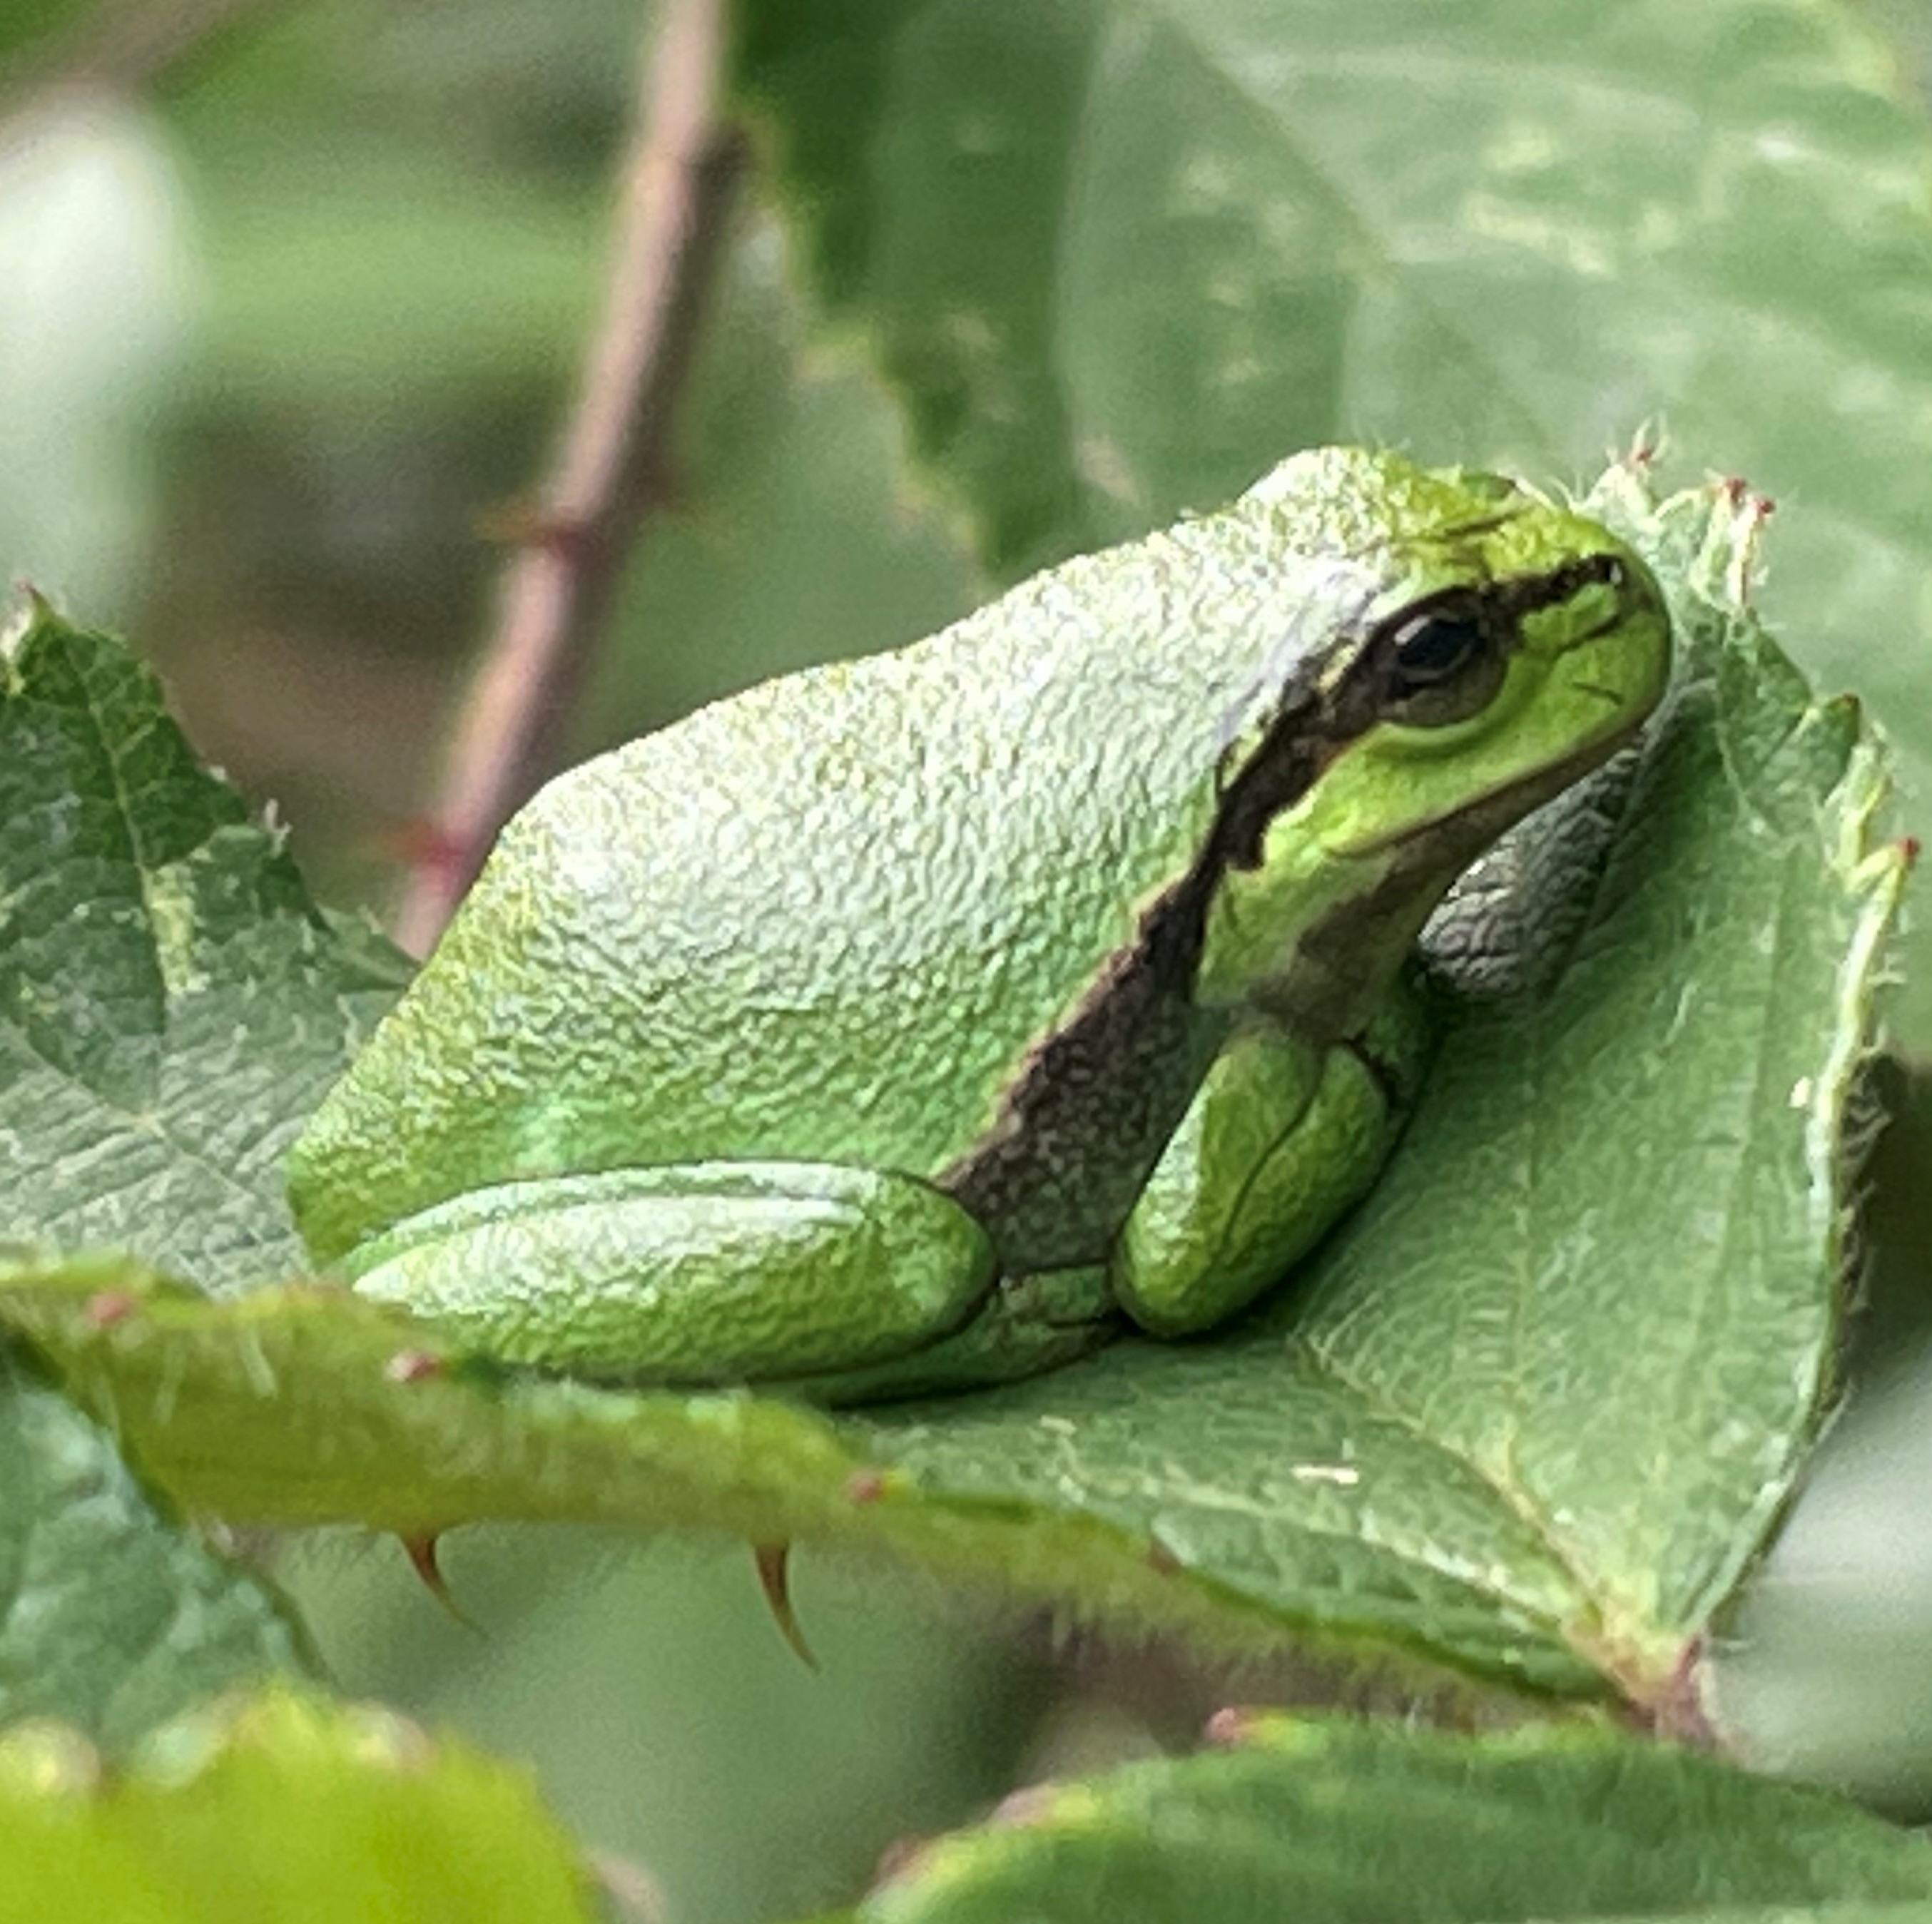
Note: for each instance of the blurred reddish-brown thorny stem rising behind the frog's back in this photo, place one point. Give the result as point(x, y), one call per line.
point(677, 184)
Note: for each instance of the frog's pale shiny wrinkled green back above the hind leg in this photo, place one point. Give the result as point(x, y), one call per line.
point(830, 919)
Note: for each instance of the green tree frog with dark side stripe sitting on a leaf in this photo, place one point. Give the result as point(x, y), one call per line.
point(921, 1021)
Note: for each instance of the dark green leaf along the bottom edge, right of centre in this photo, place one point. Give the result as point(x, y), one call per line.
point(1346, 1821)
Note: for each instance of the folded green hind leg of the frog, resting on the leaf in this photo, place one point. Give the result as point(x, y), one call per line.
point(691, 1274)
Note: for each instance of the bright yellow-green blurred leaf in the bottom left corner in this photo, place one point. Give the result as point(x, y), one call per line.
point(279, 1809)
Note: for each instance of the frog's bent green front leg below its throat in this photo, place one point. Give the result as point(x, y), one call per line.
point(1280, 1141)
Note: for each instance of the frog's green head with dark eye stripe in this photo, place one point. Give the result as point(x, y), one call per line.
point(1489, 650)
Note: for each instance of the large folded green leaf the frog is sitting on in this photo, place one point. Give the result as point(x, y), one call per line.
point(1487, 1429)
